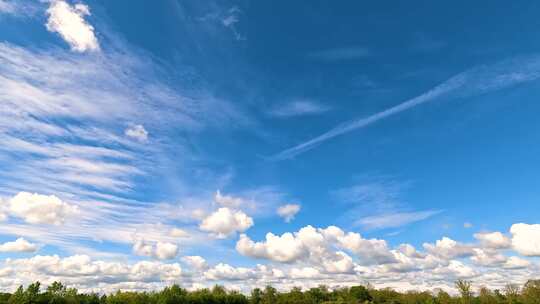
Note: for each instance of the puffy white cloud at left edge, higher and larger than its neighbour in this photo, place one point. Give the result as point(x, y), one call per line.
point(41, 209)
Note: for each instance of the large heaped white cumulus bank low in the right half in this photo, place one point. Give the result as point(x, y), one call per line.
point(321, 253)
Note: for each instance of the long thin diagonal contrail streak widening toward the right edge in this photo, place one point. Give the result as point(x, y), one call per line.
point(476, 81)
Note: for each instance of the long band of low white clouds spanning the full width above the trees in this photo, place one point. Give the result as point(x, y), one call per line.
point(305, 258)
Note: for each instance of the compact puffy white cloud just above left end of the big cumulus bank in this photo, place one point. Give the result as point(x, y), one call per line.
point(225, 222)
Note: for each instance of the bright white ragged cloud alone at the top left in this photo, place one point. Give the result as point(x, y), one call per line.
point(68, 21)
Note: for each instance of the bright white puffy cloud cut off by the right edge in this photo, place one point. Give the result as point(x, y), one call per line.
point(526, 239)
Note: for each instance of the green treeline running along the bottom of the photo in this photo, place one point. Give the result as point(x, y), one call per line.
point(57, 293)
